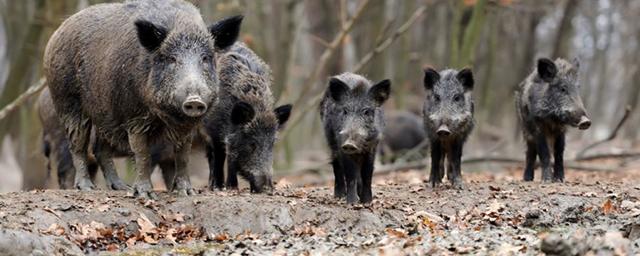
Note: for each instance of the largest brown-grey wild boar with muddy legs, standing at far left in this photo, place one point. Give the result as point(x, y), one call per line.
point(141, 73)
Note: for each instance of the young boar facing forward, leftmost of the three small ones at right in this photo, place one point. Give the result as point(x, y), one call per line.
point(353, 120)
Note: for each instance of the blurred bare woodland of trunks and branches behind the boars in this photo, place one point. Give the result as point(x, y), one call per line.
point(305, 41)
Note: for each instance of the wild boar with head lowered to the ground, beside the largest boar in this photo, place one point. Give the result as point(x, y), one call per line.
point(243, 123)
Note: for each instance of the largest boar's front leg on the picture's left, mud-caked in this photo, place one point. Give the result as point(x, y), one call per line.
point(142, 186)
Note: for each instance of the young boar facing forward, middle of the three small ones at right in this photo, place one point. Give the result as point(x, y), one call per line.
point(448, 120)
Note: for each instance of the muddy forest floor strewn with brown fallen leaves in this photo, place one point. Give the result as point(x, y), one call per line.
point(496, 213)
